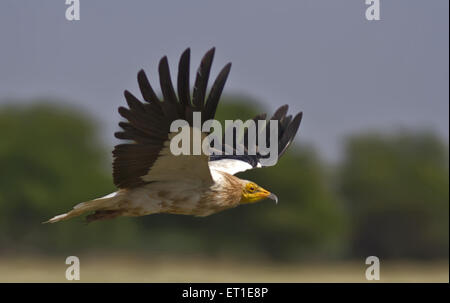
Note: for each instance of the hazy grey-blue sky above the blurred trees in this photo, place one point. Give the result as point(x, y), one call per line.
point(322, 57)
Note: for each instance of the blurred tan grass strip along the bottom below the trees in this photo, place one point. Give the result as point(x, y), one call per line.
point(127, 268)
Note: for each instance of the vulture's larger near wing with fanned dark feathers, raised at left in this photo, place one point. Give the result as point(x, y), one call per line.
point(147, 157)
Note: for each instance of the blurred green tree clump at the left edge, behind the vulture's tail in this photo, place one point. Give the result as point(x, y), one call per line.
point(50, 160)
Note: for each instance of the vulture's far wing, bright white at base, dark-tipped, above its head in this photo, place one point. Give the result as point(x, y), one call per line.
point(234, 163)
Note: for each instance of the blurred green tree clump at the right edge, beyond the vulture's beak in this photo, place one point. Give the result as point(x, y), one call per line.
point(397, 193)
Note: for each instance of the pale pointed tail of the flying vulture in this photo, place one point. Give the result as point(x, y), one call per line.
point(105, 203)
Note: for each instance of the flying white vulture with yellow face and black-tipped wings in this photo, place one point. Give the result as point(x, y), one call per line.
point(151, 179)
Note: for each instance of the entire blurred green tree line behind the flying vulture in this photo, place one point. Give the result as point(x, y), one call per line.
point(389, 197)
